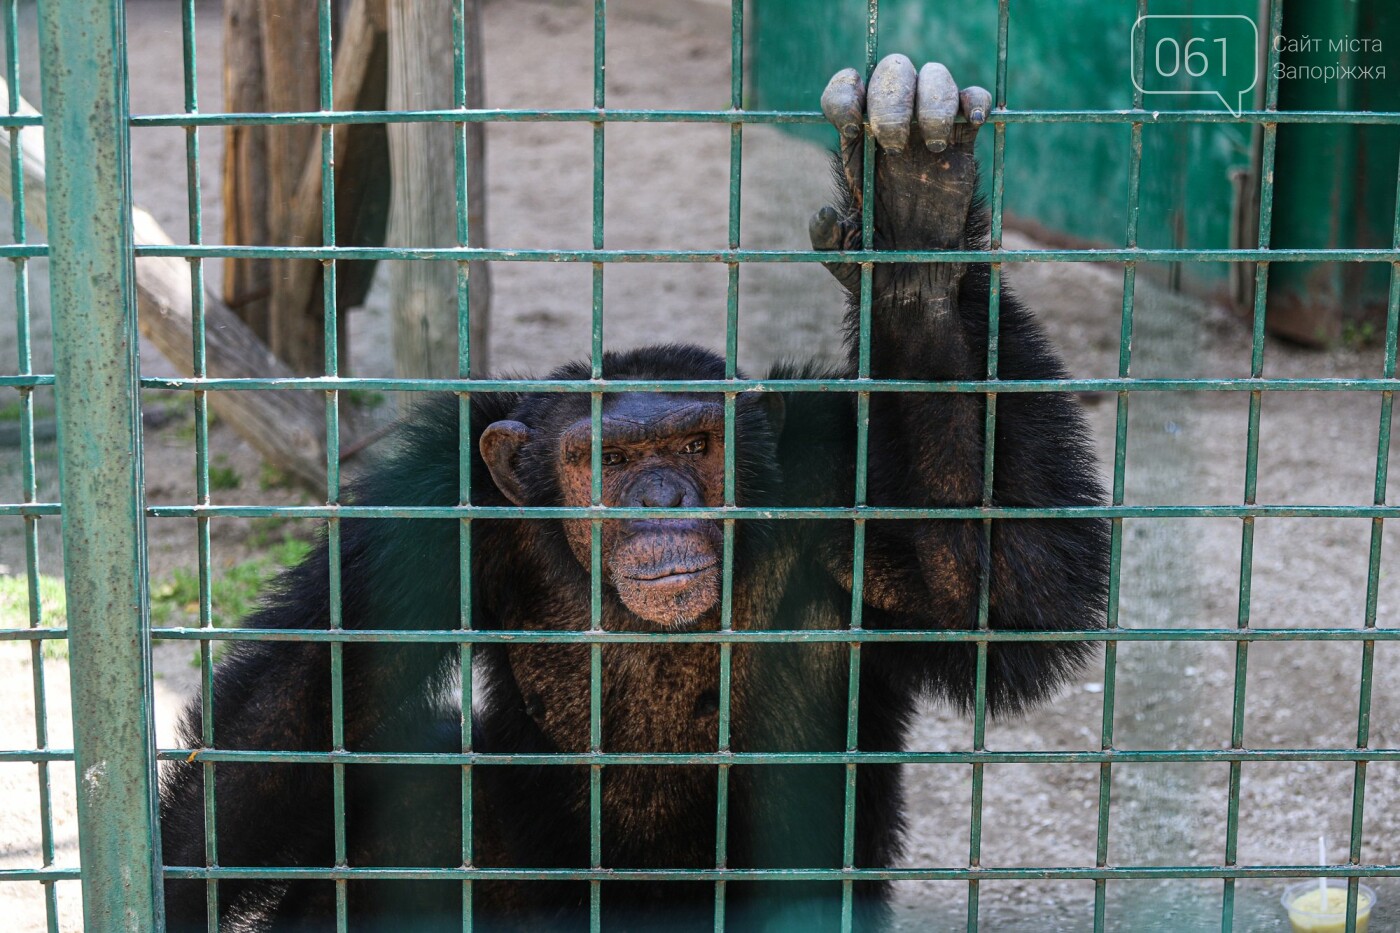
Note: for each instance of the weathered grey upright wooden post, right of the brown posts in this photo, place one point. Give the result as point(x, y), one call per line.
point(423, 207)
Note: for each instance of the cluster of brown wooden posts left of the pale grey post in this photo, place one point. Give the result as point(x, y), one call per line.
point(272, 174)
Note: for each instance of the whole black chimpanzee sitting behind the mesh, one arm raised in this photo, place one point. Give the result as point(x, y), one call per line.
point(929, 322)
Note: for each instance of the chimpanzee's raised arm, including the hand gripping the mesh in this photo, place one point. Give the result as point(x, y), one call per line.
point(929, 322)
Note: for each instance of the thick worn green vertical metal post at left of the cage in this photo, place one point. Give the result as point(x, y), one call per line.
point(97, 369)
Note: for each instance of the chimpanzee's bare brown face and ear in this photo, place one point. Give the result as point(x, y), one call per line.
point(660, 452)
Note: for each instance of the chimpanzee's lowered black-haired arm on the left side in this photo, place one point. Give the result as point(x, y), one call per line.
point(395, 574)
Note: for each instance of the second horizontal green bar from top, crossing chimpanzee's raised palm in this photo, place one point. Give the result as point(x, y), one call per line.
point(481, 254)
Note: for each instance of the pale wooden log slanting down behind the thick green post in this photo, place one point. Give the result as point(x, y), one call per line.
point(286, 428)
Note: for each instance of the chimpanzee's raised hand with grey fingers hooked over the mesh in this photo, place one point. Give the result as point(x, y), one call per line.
point(926, 176)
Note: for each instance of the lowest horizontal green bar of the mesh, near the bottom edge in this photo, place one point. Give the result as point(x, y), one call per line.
point(796, 875)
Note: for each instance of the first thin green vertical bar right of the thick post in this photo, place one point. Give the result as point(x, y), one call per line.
point(204, 554)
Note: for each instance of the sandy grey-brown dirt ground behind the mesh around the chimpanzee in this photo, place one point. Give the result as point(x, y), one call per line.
point(667, 188)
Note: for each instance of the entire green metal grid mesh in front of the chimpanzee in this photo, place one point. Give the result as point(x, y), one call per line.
point(856, 637)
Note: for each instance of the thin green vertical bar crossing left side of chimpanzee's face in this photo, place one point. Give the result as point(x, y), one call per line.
point(596, 551)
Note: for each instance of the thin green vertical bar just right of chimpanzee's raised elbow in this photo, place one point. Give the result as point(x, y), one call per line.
point(1121, 446)
